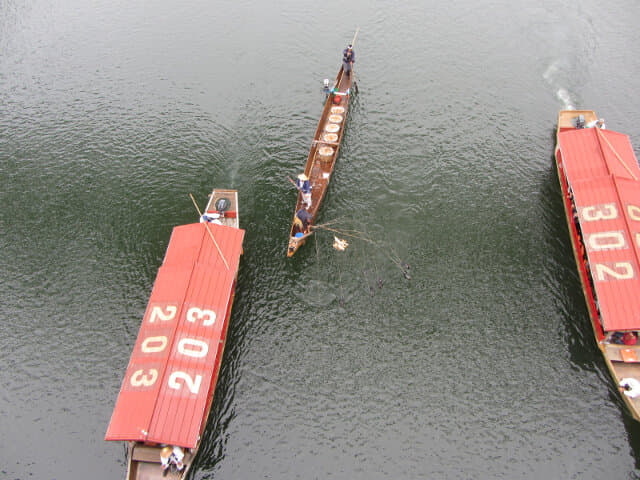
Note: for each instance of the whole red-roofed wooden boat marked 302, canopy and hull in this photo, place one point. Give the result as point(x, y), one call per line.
point(600, 181)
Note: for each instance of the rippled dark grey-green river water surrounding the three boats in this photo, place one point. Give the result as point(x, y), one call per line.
point(482, 365)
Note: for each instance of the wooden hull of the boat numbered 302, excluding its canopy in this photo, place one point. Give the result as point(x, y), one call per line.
point(619, 369)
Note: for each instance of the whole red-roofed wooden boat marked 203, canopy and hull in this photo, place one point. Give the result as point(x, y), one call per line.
point(169, 384)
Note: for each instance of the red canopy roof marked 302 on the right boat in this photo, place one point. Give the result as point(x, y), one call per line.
point(603, 175)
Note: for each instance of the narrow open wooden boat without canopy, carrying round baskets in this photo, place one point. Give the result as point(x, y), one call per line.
point(323, 153)
